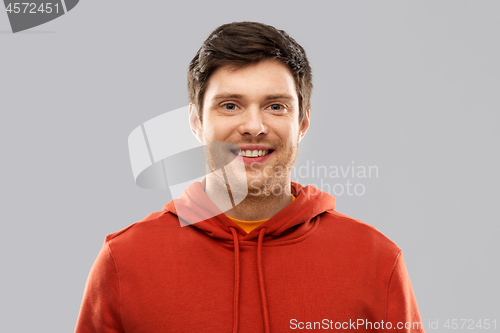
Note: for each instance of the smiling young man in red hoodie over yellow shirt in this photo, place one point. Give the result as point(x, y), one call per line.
point(278, 260)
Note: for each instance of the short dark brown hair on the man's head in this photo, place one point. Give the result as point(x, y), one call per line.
point(240, 44)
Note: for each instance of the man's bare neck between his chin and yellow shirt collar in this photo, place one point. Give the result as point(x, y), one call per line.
point(253, 207)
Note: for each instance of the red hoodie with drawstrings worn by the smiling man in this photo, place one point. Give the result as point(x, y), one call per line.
point(308, 267)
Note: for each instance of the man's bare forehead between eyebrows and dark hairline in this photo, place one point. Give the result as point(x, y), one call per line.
point(267, 77)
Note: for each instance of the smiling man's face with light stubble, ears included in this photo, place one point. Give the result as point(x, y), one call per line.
point(256, 108)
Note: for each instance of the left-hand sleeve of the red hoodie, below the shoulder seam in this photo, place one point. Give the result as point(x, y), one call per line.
point(100, 309)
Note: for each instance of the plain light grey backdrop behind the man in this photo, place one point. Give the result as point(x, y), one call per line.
point(411, 87)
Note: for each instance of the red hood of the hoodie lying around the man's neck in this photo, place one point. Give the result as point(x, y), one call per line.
point(196, 207)
